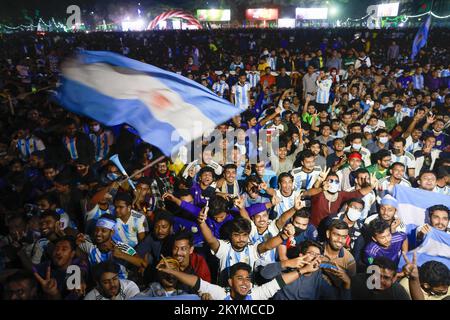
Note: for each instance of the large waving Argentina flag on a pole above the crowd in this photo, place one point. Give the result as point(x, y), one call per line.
point(167, 109)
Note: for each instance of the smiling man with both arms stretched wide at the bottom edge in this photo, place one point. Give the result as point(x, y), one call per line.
point(239, 282)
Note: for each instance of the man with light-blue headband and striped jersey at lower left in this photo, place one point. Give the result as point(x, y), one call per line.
point(106, 249)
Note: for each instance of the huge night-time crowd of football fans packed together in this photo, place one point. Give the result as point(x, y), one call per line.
point(353, 115)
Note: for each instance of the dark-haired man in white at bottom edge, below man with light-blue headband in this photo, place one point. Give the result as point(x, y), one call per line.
point(109, 286)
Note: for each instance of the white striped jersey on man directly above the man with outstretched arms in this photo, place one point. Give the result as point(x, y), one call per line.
point(228, 256)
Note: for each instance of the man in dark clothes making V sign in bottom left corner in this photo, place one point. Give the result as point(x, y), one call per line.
point(52, 275)
